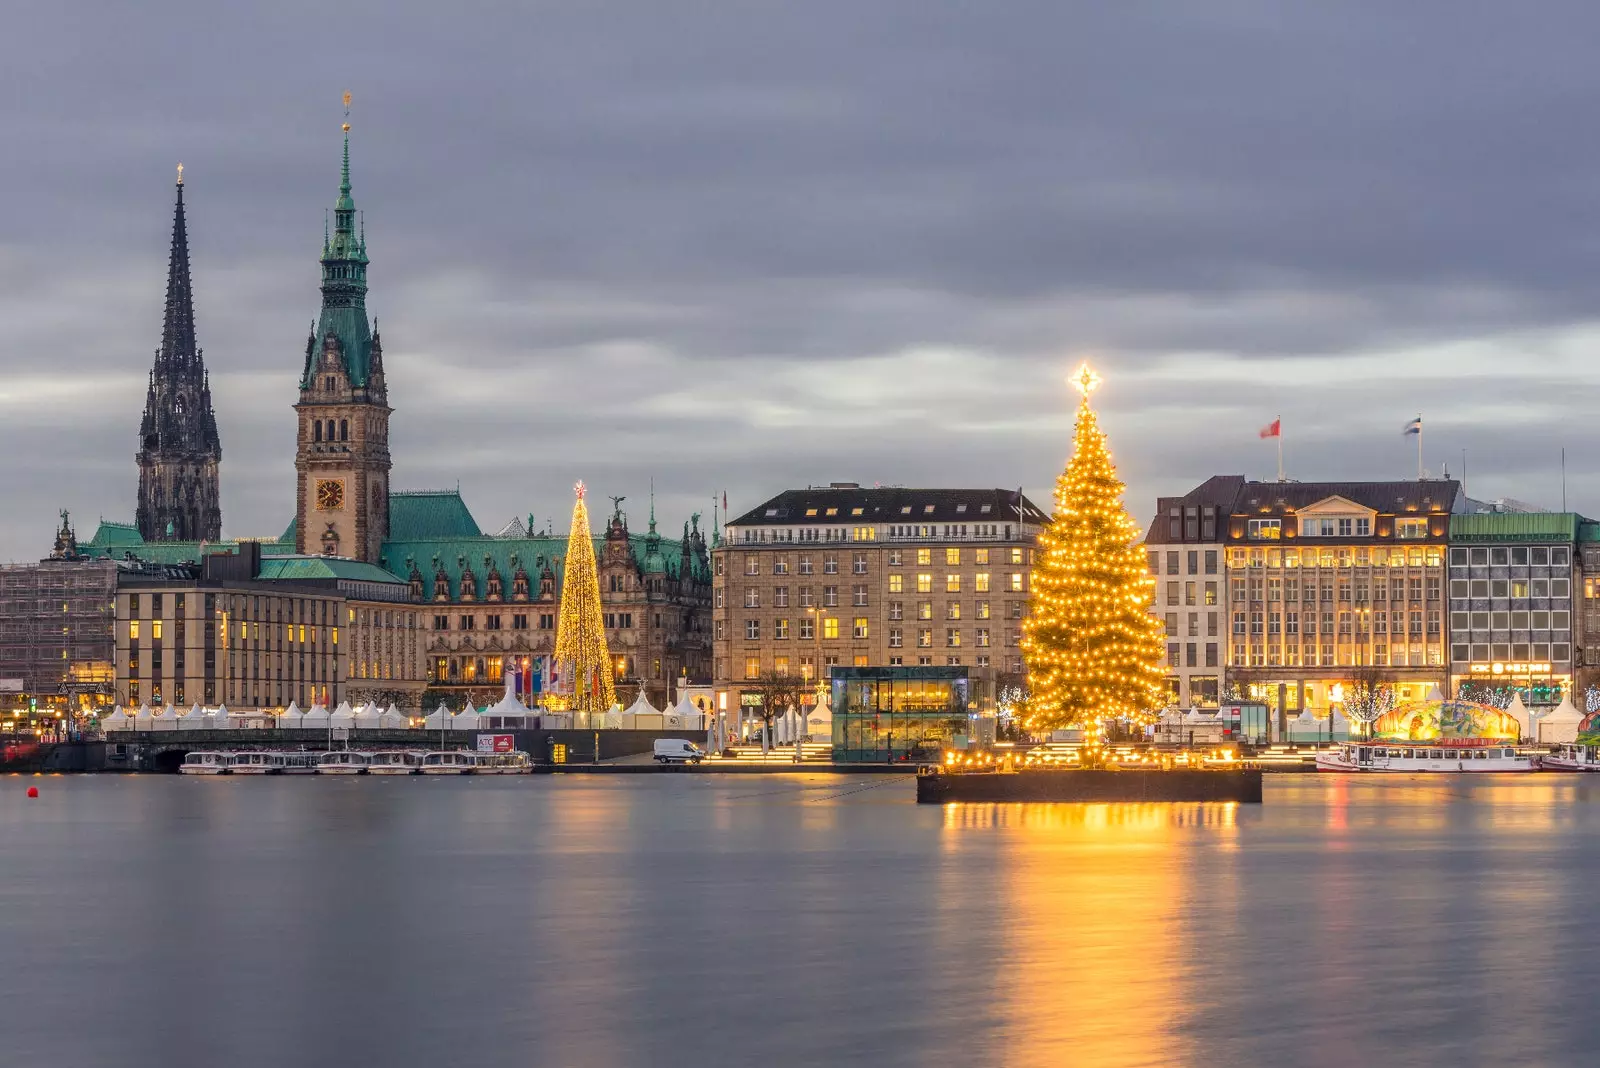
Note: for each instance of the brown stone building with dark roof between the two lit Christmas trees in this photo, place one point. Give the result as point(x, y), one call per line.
point(844, 576)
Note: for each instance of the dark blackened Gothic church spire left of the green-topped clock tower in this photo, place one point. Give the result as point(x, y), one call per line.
point(180, 450)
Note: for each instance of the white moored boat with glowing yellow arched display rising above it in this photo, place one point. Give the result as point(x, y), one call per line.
point(1439, 738)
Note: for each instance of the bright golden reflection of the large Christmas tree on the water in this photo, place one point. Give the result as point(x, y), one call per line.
point(1097, 936)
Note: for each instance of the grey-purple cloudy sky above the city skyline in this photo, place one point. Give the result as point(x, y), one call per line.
point(767, 244)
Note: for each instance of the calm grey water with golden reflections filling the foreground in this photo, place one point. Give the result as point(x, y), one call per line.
point(793, 920)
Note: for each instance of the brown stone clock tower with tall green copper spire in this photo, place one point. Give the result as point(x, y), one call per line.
point(342, 463)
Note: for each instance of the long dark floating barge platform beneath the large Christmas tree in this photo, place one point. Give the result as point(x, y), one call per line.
point(937, 786)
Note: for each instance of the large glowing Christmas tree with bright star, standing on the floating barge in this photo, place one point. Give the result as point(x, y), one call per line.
point(1094, 650)
